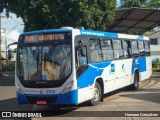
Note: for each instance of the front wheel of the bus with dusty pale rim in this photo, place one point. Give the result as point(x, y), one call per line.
point(97, 95)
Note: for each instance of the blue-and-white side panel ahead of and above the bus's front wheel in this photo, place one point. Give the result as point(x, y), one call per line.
point(85, 82)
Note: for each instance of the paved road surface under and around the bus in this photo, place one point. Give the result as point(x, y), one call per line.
point(147, 98)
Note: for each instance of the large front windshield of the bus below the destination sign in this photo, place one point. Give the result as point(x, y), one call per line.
point(44, 63)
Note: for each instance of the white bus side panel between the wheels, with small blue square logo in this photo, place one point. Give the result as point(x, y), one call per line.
point(117, 75)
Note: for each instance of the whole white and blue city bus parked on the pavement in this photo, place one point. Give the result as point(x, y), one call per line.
point(71, 66)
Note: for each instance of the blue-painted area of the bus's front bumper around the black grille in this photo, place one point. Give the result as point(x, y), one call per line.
point(66, 98)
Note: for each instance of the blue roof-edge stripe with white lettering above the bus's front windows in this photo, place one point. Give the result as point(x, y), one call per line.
point(97, 33)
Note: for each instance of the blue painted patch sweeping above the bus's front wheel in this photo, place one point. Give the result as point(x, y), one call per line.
point(94, 70)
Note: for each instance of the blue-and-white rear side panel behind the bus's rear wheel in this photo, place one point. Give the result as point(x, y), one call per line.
point(145, 68)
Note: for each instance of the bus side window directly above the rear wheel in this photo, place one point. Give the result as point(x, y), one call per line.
point(134, 47)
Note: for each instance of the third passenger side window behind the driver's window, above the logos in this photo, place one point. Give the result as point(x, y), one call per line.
point(118, 51)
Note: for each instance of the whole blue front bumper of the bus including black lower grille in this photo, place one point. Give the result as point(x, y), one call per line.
point(66, 98)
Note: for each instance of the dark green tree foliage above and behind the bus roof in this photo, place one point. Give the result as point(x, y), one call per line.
point(47, 14)
